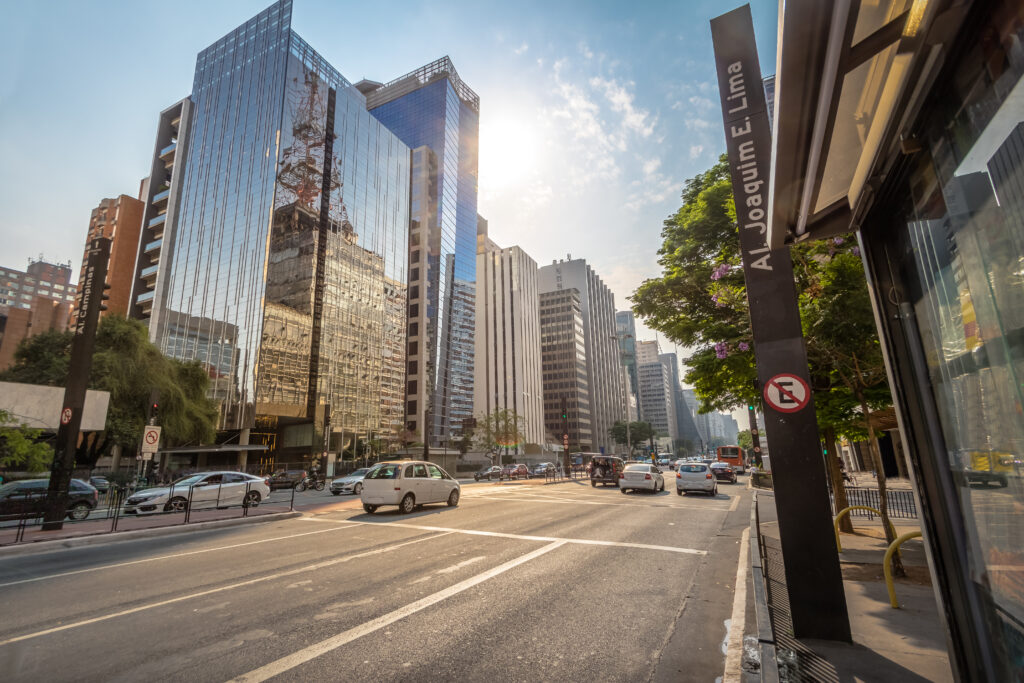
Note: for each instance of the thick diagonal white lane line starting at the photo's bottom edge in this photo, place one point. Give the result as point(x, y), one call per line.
point(325, 647)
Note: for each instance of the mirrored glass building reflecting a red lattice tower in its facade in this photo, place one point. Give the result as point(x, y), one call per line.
point(278, 229)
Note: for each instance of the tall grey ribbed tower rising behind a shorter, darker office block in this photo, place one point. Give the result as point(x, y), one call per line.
point(598, 307)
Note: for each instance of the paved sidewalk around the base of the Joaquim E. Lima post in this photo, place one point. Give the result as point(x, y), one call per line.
point(906, 645)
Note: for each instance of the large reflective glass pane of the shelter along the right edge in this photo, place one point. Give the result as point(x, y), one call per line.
point(964, 267)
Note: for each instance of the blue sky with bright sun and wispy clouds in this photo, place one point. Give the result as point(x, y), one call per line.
point(593, 113)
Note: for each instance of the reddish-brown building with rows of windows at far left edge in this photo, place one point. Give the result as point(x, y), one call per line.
point(34, 301)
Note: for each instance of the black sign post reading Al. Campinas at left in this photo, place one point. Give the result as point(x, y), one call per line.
point(90, 306)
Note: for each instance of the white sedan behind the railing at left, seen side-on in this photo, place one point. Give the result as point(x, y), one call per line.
point(207, 490)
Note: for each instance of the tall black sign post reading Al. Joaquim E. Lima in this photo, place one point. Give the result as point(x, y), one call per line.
point(813, 572)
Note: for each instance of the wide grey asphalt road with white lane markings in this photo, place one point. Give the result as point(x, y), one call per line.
point(526, 583)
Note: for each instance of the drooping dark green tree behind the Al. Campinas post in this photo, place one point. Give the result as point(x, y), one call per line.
point(127, 366)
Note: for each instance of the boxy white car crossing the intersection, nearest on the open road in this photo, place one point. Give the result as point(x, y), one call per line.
point(408, 484)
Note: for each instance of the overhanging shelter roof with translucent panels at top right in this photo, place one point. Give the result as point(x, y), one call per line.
point(849, 76)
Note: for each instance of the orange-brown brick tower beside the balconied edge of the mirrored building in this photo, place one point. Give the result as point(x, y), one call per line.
point(118, 220)
